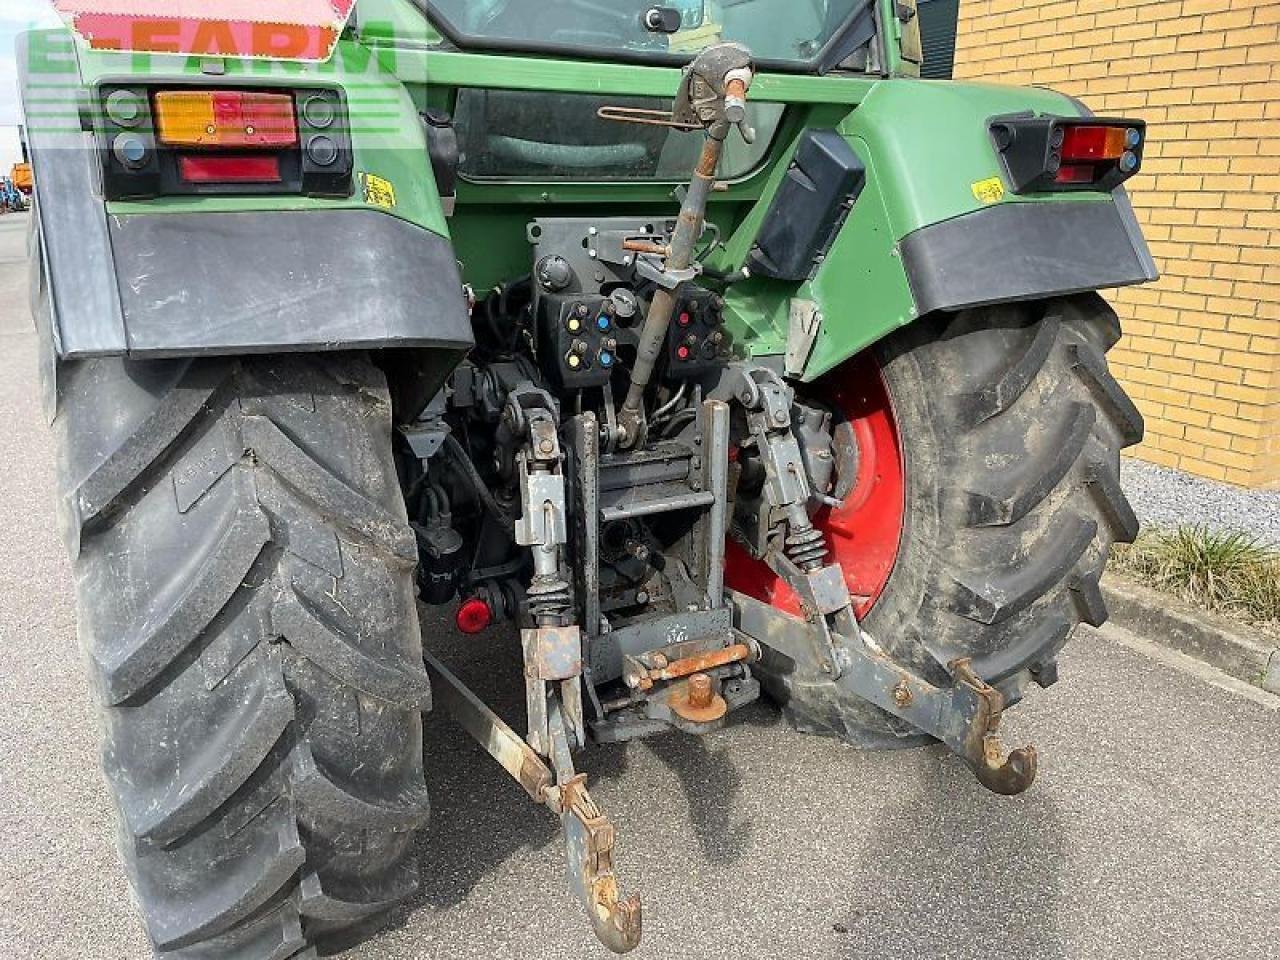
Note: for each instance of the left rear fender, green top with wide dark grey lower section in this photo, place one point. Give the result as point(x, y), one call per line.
point(230, 276)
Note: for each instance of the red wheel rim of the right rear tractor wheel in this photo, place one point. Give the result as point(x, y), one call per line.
point(866, 534)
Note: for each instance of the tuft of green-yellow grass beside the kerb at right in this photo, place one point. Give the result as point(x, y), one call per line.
point(1224, 573)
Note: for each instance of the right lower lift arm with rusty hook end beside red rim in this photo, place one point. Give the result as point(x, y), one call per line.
point(964, 716)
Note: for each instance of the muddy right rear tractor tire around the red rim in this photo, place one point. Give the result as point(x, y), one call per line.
point(1012, 431)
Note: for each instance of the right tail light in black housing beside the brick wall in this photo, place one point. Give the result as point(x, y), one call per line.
point(1059, 154)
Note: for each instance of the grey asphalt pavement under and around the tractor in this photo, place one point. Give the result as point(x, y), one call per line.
point(1154, 830)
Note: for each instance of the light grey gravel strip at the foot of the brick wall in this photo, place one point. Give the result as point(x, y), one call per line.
point(1171, 499)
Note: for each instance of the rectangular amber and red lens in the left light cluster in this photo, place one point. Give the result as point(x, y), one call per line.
point(225, 120)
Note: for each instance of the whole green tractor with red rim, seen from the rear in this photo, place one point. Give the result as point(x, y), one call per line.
point(703, 344)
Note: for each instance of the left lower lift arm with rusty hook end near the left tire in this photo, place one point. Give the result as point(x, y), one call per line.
point(589, 836)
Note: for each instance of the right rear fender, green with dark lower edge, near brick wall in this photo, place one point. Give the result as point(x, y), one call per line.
point(936, 230)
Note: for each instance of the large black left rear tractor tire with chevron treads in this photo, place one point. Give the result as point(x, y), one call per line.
point(245, 577)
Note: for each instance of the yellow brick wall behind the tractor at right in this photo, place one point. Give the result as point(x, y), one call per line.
point(1203, 349)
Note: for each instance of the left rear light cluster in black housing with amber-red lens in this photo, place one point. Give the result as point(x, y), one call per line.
point(195, 141)
